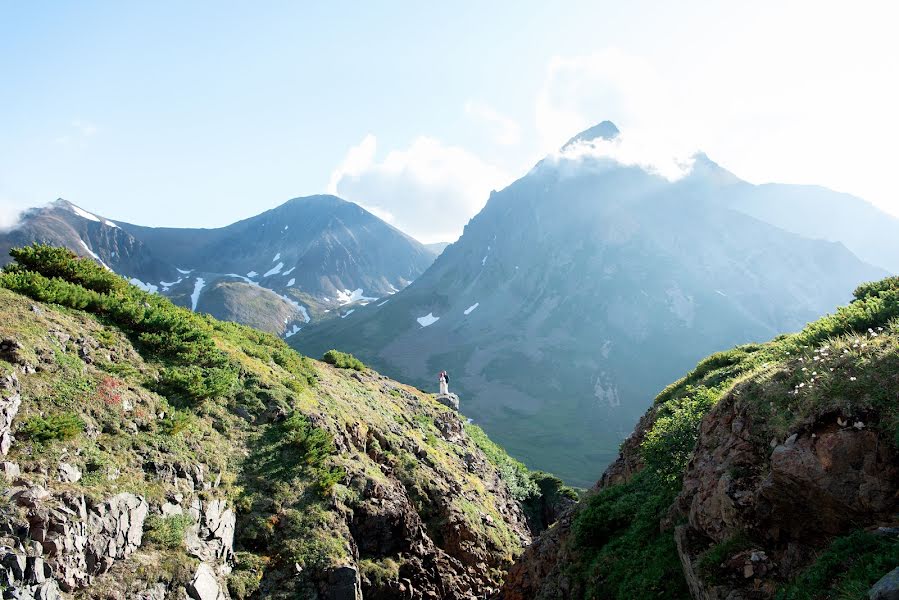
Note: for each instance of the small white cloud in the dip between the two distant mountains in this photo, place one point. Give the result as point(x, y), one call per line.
point(429, 190)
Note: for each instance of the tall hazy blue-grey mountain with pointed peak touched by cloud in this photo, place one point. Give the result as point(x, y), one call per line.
point(582, 289)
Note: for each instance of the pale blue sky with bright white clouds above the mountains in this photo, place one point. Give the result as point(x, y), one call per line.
point(203, 113)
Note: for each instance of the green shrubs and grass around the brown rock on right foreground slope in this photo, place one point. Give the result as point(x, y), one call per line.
point(850, 357)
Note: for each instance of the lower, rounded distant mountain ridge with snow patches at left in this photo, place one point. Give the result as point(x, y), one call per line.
point(276, 271)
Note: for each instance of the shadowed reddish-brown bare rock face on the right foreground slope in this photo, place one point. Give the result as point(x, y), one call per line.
point(824, 480)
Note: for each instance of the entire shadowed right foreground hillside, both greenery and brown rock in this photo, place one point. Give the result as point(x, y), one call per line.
point(769, 471)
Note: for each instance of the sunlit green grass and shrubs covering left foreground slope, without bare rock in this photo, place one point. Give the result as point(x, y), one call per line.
point(138, 399)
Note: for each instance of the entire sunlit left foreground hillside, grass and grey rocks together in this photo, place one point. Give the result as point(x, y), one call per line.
point(149, 452)
